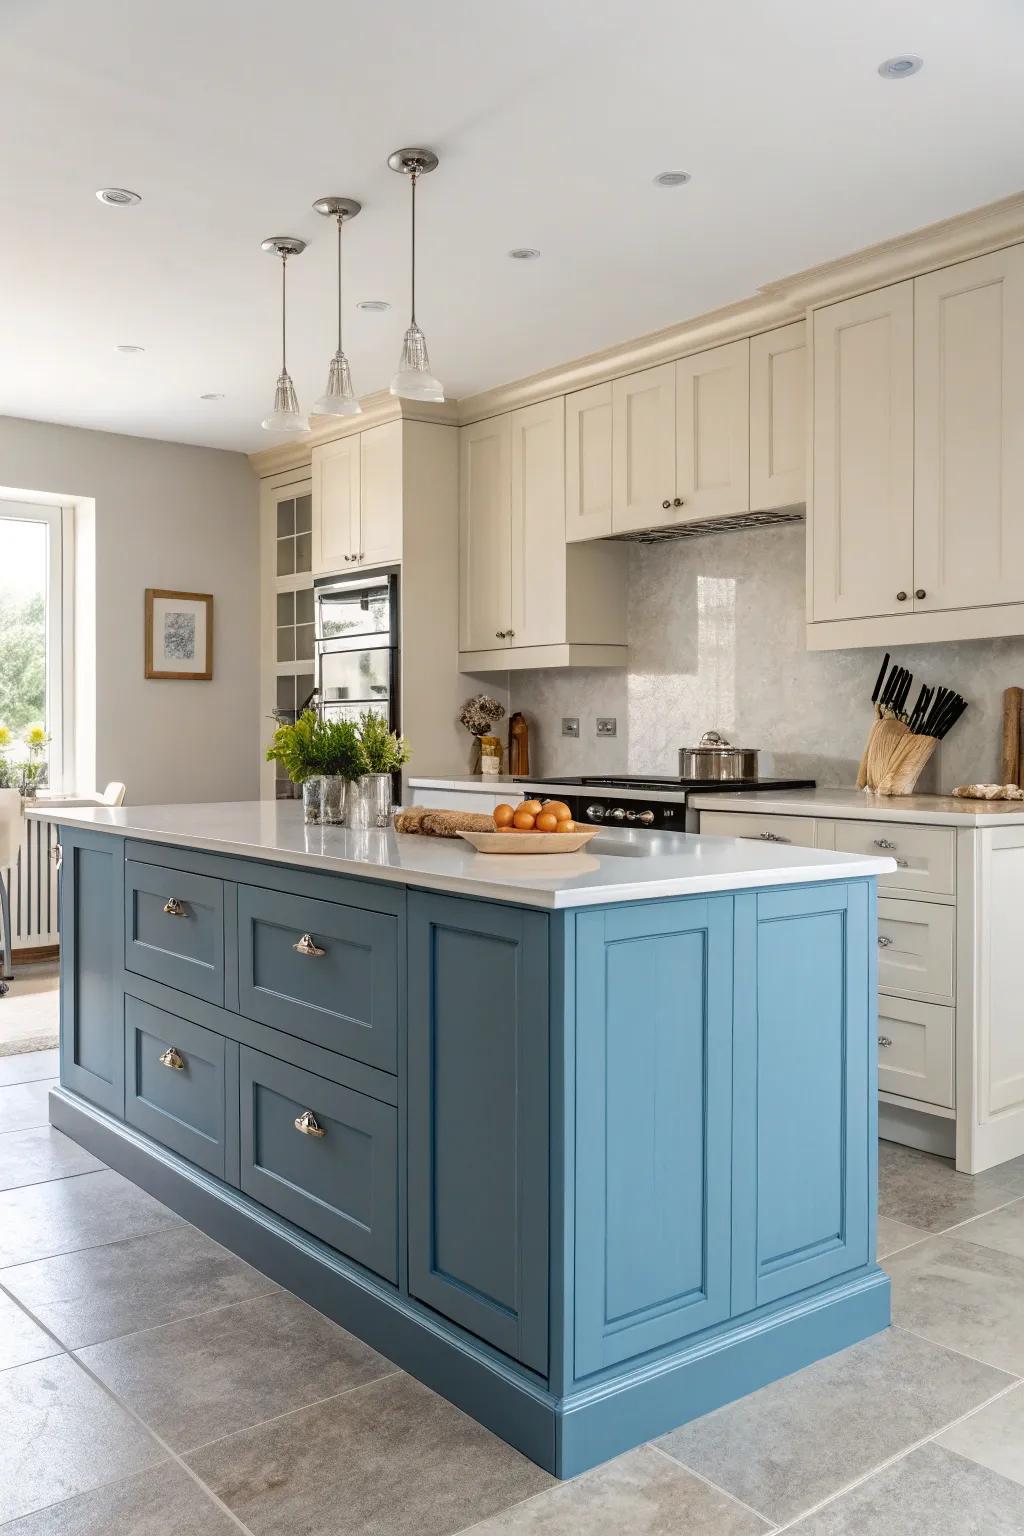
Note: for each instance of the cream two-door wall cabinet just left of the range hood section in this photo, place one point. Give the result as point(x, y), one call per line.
point(527, 597)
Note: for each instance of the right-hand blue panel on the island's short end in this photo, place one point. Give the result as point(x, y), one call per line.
point(805, 1090)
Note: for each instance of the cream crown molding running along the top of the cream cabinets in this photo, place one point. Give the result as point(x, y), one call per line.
point(778, 303)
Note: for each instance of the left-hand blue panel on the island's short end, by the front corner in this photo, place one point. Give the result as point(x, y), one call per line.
point(653, 1127)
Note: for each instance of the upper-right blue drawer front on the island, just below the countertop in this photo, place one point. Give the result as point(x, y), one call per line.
point(345, 996)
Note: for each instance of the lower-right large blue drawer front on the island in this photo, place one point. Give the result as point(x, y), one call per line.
point(343, 1185)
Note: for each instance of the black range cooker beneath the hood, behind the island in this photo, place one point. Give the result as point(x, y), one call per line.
point(644, 801)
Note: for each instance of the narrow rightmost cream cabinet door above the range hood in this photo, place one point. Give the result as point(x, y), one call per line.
point(779, 443)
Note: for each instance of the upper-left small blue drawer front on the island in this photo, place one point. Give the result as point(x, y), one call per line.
point(174, 929)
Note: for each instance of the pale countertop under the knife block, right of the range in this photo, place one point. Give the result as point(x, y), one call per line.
point(931, 810)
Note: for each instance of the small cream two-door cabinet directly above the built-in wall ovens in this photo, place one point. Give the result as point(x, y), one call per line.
point(358, 500)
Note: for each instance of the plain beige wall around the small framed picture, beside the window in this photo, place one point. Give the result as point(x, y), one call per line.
point(176, 517)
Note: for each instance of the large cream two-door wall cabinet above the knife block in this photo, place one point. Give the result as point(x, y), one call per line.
point(916, 526)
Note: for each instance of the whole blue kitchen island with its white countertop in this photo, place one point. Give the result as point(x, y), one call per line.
point(586, 1144)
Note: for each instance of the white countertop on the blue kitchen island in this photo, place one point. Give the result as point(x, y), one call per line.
point(616, 867)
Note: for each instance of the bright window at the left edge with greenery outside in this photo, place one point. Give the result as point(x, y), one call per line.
point(31, 581)
